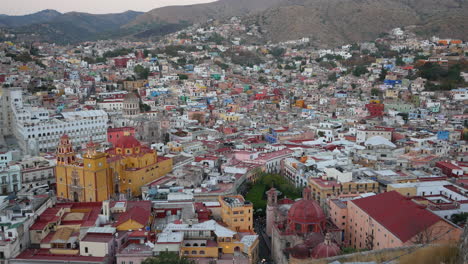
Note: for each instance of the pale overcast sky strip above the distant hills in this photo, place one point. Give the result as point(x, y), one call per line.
point(21, 7)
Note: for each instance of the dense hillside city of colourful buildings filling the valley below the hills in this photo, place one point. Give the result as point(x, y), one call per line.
point(208, 147)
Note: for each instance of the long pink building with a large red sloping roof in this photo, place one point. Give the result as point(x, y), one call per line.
point(389, 220)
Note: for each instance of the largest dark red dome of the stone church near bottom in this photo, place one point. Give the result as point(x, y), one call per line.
point(306, 212)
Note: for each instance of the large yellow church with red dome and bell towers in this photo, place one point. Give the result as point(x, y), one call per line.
point(98, 176)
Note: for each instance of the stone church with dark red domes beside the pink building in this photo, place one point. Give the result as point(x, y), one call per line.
point(299, 229)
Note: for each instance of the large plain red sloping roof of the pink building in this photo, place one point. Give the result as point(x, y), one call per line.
point(398, 214)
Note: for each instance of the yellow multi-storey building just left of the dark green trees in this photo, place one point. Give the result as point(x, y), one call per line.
point(237, 213)
